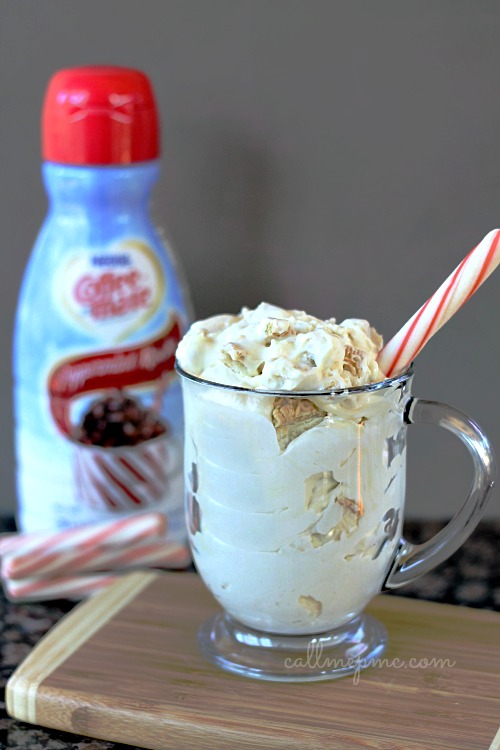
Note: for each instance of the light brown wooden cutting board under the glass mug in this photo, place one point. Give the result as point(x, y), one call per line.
point(124, 666)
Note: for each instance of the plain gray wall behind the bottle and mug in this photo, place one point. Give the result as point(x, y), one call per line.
point(340, 157)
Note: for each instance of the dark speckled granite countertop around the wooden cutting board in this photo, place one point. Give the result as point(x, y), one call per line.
point(470, 578)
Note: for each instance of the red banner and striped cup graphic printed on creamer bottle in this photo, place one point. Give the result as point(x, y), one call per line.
point(124, 452)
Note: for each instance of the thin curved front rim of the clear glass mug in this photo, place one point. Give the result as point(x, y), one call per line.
point(379, 385)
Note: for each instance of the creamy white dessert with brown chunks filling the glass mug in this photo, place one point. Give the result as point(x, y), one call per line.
point(295, 501)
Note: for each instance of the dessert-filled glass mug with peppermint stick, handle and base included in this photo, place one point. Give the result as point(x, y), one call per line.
point(295, 452)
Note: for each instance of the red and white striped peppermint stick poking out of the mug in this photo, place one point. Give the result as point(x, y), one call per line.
point(475, 268)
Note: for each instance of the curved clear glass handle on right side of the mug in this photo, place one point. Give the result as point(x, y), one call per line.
point(412, 561)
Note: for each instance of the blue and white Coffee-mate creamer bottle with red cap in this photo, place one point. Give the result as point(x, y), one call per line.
point(101, 310)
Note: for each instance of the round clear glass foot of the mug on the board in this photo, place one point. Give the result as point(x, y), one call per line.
point(287, 658)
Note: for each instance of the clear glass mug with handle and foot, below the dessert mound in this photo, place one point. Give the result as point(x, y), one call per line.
point(295, 507)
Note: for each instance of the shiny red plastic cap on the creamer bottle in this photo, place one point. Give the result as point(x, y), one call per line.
point(99, 115)
